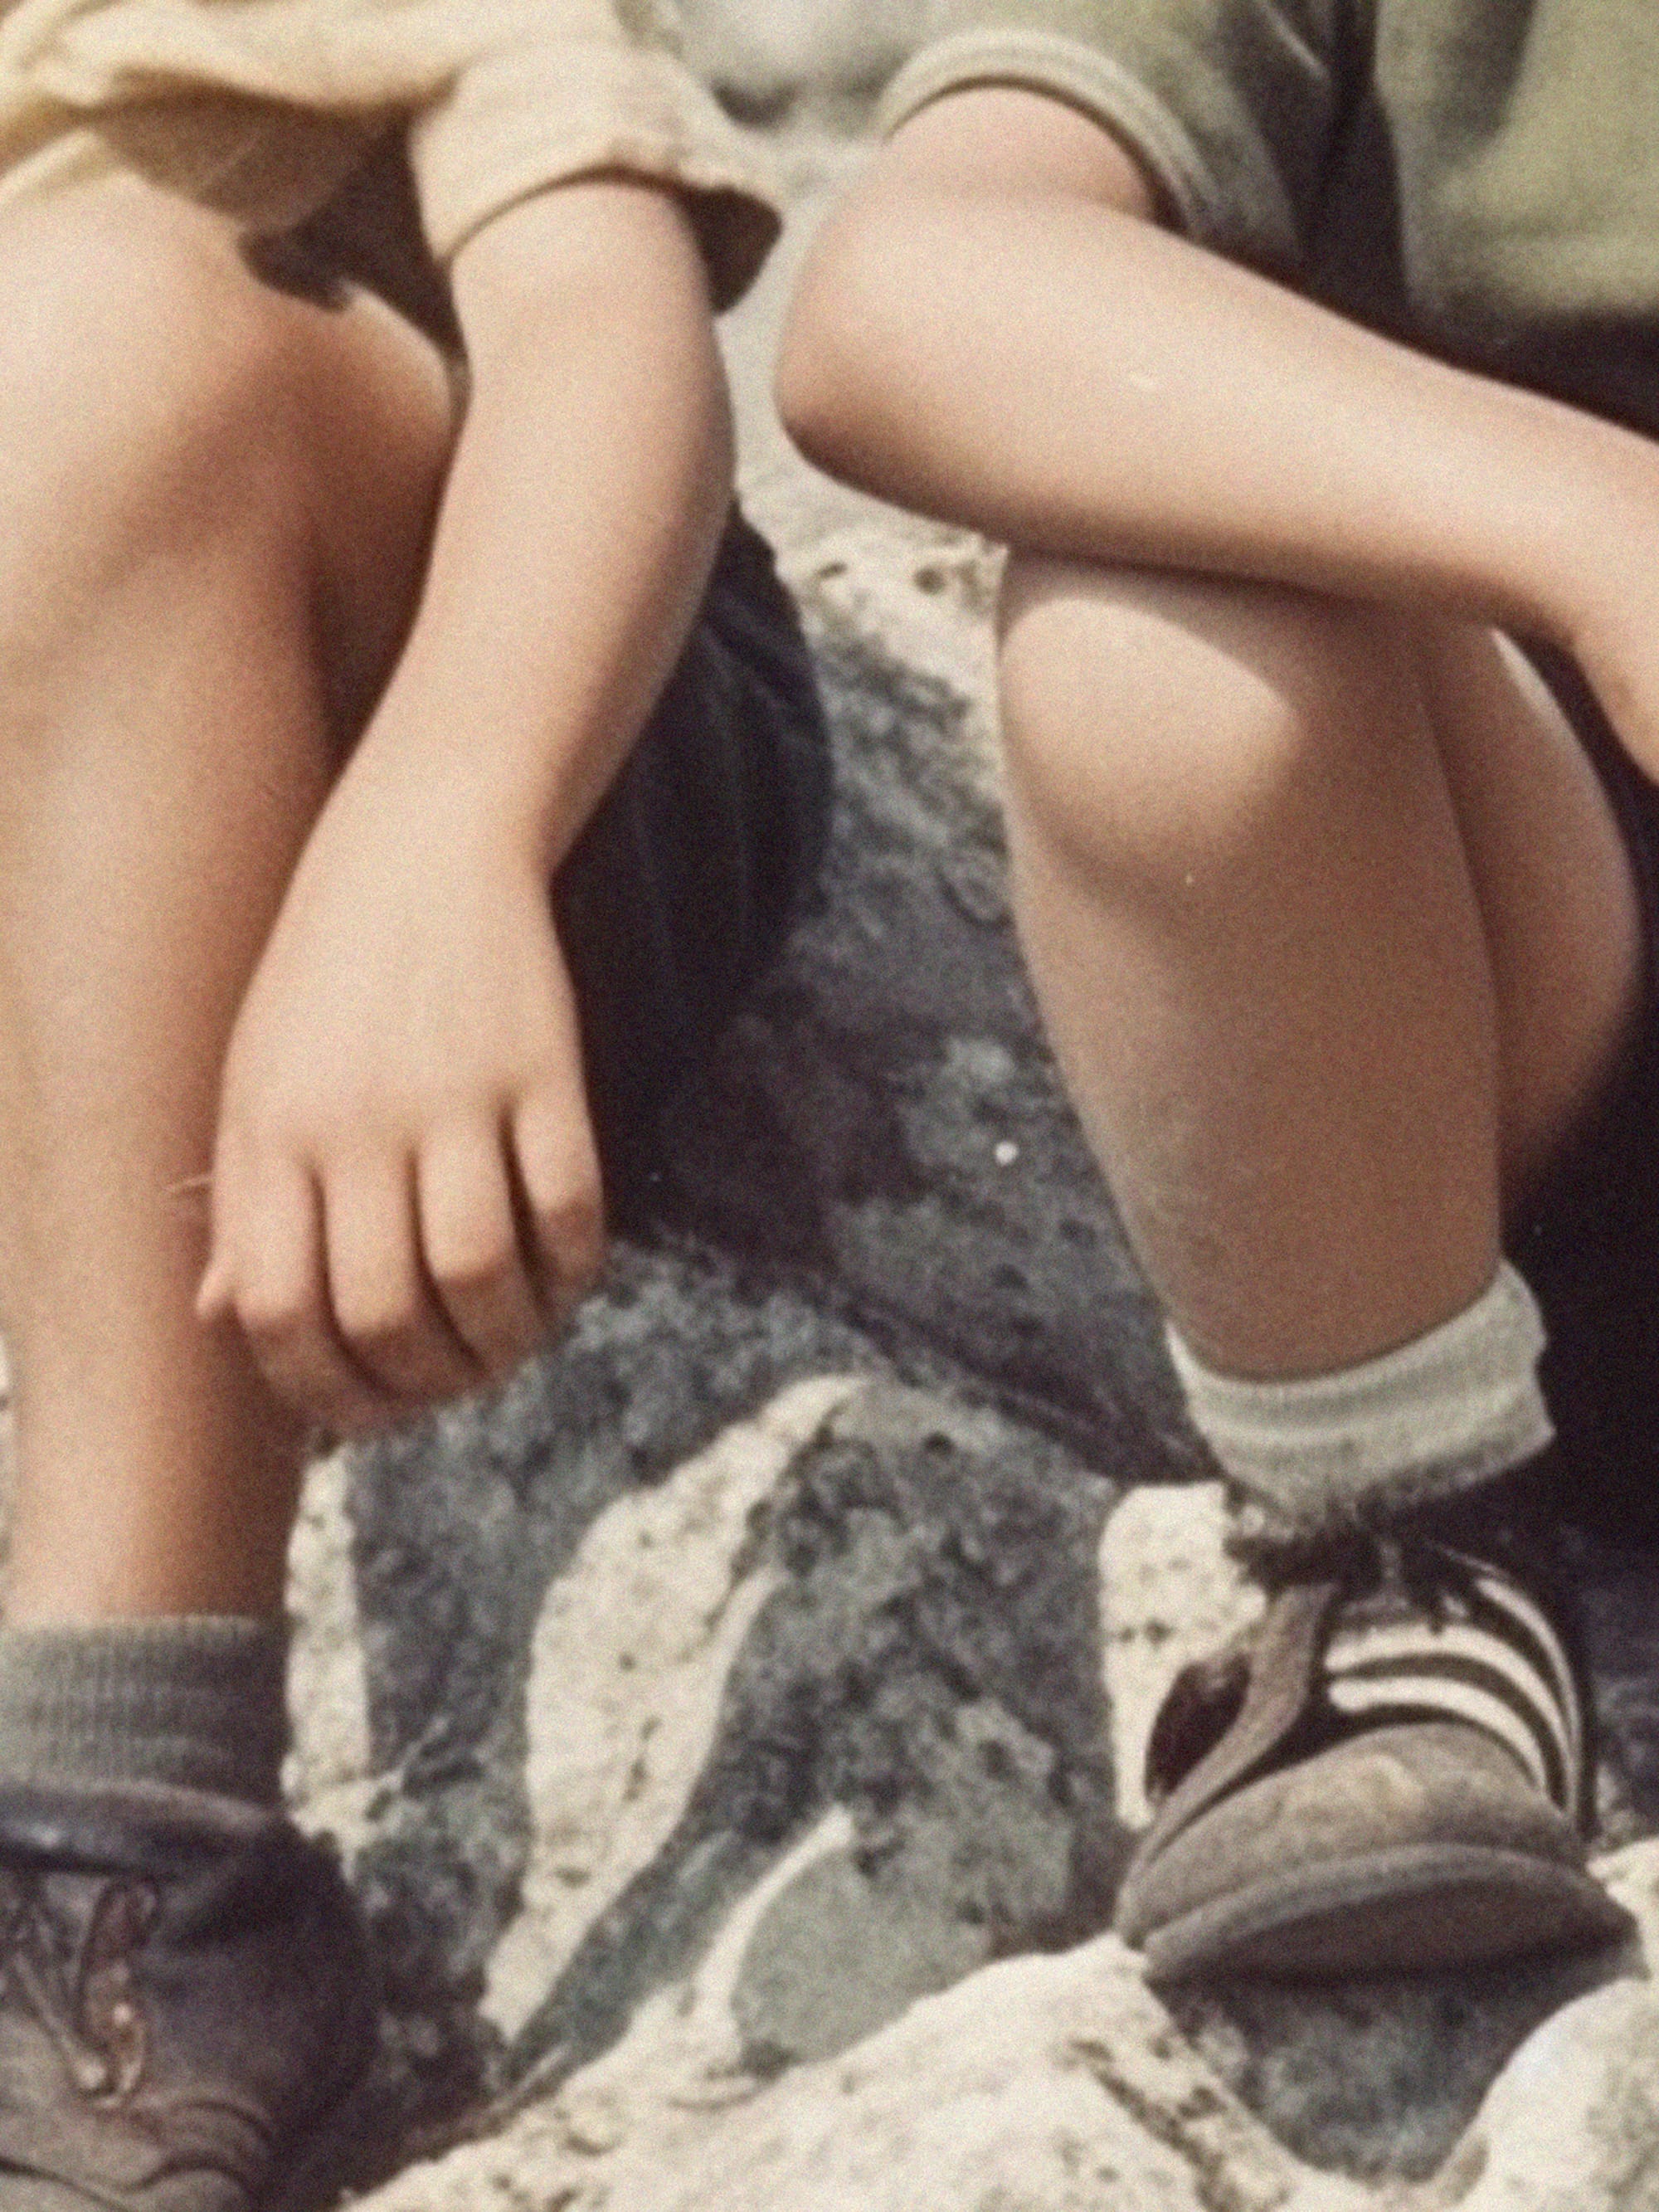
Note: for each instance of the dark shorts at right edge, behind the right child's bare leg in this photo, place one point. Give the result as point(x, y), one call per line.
point(1589, 1240)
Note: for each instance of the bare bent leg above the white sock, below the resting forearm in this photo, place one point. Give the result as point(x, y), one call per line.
point(1266, 862)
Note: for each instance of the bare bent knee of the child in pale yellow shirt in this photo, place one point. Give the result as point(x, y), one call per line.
point(156, 399)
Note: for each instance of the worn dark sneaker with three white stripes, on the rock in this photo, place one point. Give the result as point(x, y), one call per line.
point(1390, 1773)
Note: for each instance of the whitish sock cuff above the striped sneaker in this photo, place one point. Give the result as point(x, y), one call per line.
point(1430, 1419)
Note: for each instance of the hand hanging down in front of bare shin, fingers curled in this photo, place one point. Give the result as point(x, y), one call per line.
point(406, 1191)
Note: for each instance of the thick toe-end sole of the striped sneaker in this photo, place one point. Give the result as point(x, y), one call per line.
point(1408, 1910)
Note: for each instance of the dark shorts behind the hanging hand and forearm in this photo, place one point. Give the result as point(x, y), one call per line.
point(687, 879)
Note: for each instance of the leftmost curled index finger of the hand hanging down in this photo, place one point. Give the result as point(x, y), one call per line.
point(273, 1282)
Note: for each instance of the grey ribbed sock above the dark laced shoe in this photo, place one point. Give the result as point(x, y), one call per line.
point(187, 1702)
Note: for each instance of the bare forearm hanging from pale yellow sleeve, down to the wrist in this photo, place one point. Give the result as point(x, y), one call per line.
point(585, 501)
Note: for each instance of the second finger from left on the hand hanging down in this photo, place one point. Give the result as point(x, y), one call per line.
point(377, 1286)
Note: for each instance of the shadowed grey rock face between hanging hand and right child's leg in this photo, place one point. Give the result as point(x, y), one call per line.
point(886, 1123)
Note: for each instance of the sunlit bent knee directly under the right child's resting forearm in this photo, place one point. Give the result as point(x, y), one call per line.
point(1154, 718)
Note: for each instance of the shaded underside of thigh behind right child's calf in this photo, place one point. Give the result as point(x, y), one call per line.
point(1556, 875)
